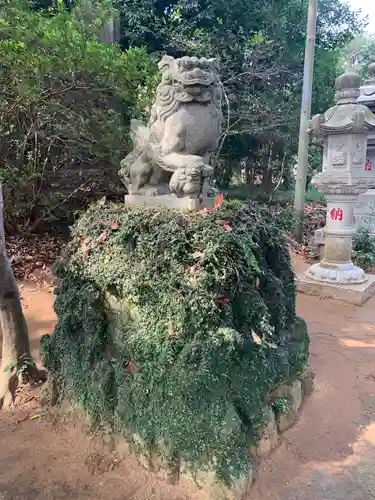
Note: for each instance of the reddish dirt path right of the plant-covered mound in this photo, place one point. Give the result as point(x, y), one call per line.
point(330, 453)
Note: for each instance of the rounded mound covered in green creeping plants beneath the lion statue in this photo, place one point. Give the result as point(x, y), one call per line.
point(206, 327)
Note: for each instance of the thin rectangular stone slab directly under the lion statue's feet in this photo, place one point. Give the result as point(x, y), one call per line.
point(167, 201)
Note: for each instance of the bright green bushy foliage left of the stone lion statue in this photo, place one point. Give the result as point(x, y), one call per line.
point(65, 101)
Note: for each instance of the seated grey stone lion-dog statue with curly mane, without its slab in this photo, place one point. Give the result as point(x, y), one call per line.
point(172, 153)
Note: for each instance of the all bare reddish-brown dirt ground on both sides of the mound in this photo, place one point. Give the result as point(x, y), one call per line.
point(328, 455)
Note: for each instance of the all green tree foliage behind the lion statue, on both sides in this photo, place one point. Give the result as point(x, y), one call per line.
point(67, 99)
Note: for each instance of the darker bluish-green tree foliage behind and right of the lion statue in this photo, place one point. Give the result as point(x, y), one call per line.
point(260, 46)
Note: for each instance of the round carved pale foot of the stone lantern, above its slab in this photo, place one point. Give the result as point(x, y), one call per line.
point(337, 274)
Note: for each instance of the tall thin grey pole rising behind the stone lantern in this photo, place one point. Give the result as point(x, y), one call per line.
point(303, 143)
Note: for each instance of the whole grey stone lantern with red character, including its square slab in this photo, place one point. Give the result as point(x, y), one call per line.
point(344, 129)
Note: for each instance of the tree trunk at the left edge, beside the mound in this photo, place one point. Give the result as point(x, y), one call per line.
point(16, 358)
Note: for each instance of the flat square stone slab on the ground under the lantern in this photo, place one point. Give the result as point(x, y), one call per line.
point(354, 294)
